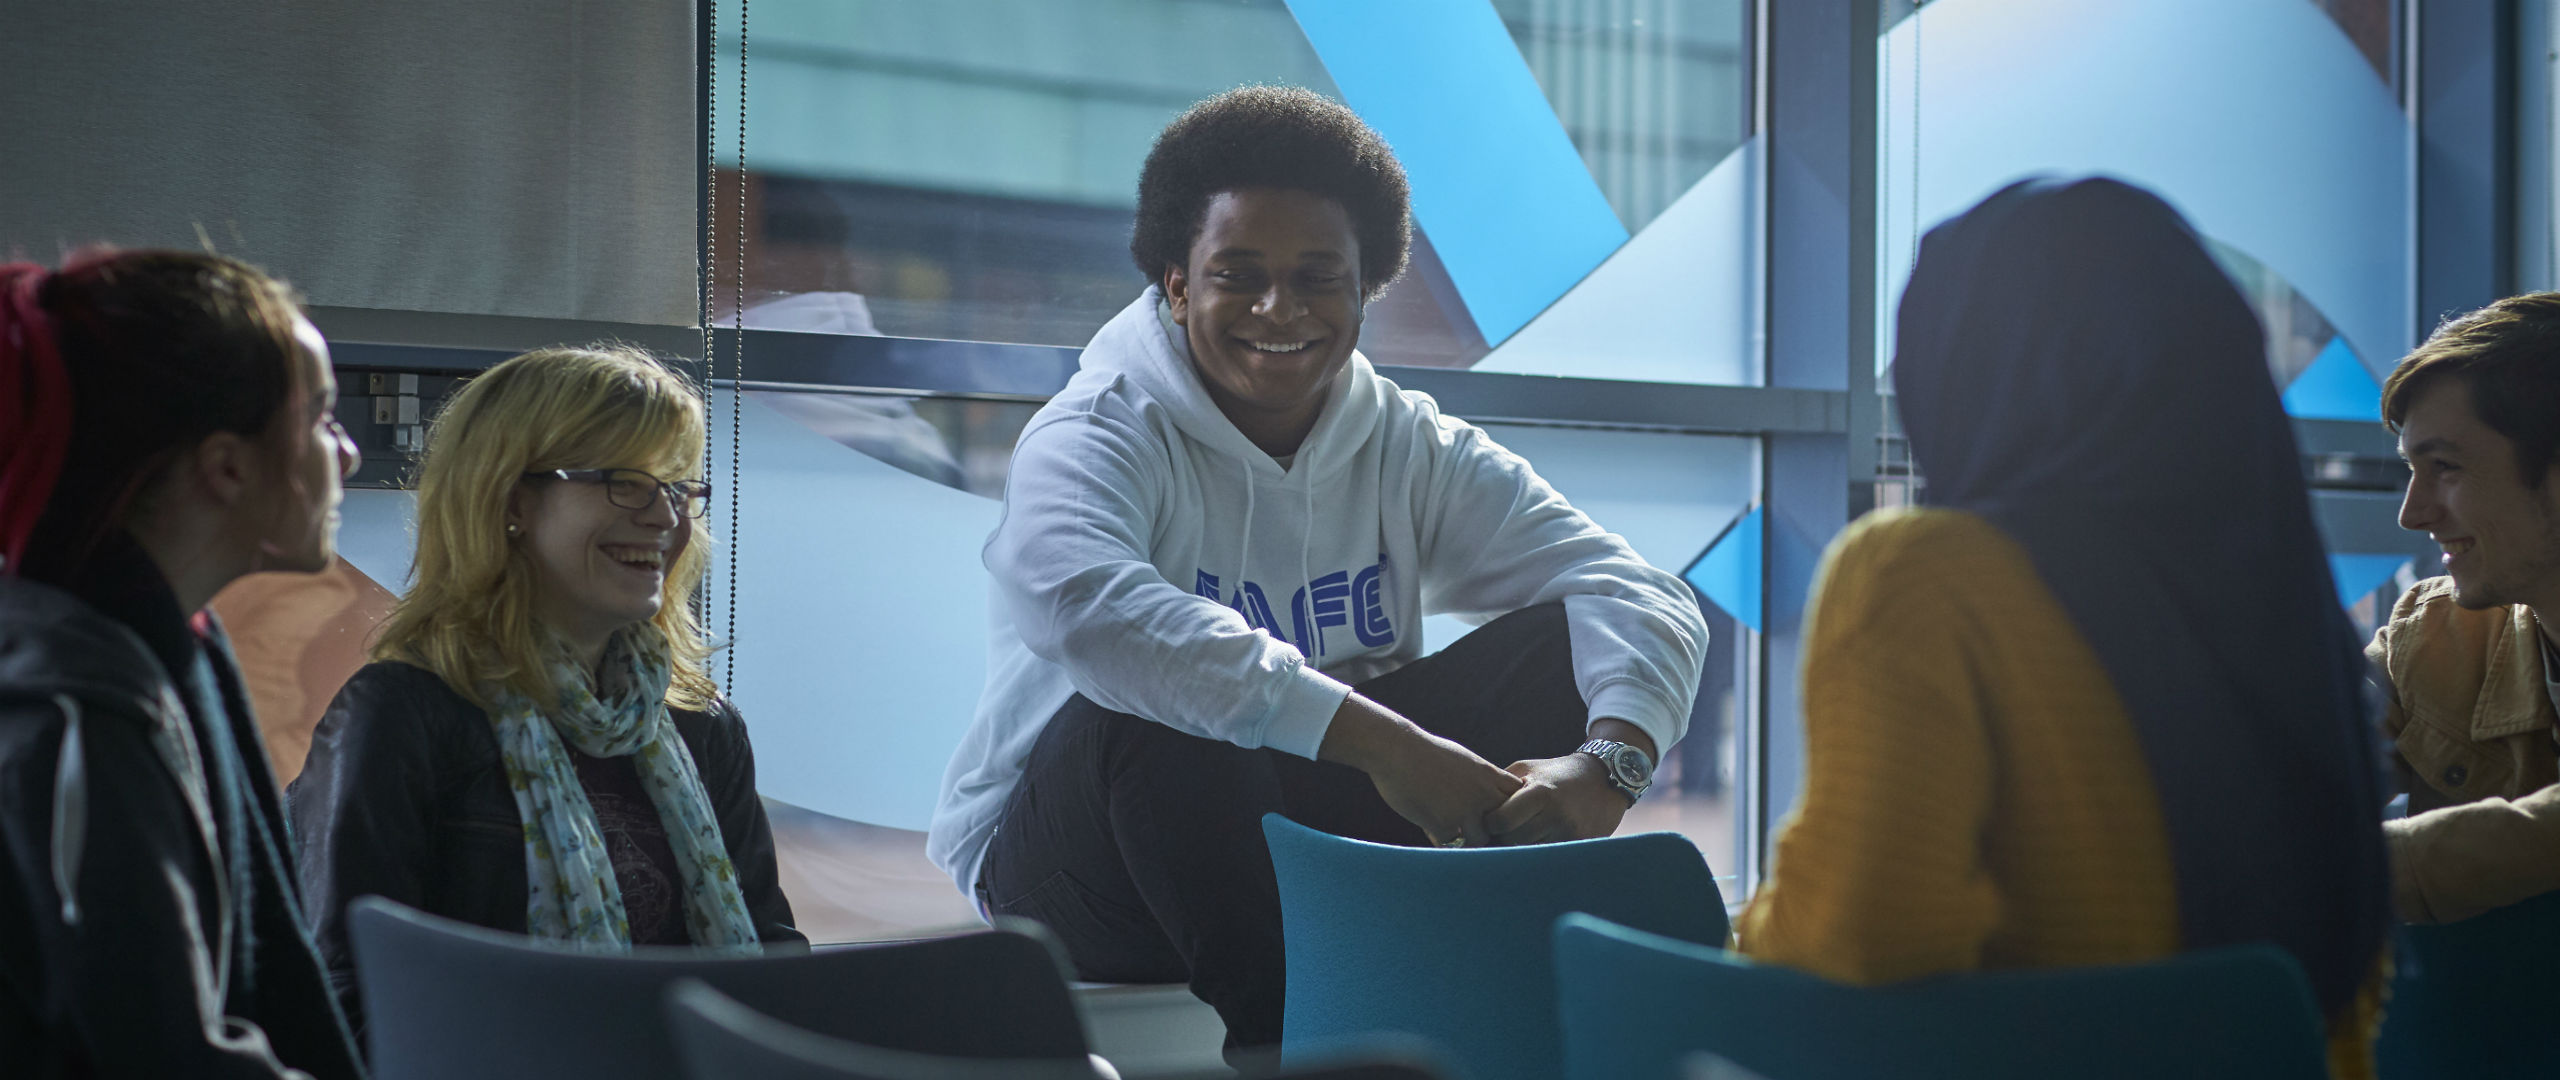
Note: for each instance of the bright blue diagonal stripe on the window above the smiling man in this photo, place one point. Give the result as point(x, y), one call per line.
point(1512, 209)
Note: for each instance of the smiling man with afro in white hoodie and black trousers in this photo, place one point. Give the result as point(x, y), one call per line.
point(1212, 572)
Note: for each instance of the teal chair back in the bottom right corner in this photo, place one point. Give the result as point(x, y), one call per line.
point(2477, 999)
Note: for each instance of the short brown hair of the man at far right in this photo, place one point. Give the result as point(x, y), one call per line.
point(2510, 357)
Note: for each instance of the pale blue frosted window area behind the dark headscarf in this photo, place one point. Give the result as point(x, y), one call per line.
point(2259, 119)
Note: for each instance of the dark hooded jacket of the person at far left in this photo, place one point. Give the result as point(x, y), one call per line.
point(145, 933)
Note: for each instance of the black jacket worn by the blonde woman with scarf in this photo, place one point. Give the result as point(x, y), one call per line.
point(406, 797)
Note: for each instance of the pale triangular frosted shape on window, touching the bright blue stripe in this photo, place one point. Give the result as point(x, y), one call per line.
point(1678, 303)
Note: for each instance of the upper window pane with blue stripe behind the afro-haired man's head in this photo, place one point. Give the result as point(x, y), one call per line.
point(1583, 180)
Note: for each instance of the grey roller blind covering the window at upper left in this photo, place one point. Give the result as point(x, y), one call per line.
point(493, 157)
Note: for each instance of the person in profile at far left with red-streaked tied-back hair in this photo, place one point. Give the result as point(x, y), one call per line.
point(168, 424)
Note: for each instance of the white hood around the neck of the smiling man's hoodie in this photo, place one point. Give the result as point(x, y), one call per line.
point(1148, 349)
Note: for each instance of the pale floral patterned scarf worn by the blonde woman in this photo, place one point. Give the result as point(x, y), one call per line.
point(572, 879)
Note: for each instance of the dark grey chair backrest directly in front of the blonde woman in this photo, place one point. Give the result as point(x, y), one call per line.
point(447, 999)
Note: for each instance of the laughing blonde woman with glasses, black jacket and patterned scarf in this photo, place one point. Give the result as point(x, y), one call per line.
point(536, 746)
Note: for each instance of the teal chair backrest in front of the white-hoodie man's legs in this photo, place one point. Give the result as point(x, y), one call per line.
point(1453, 946)
